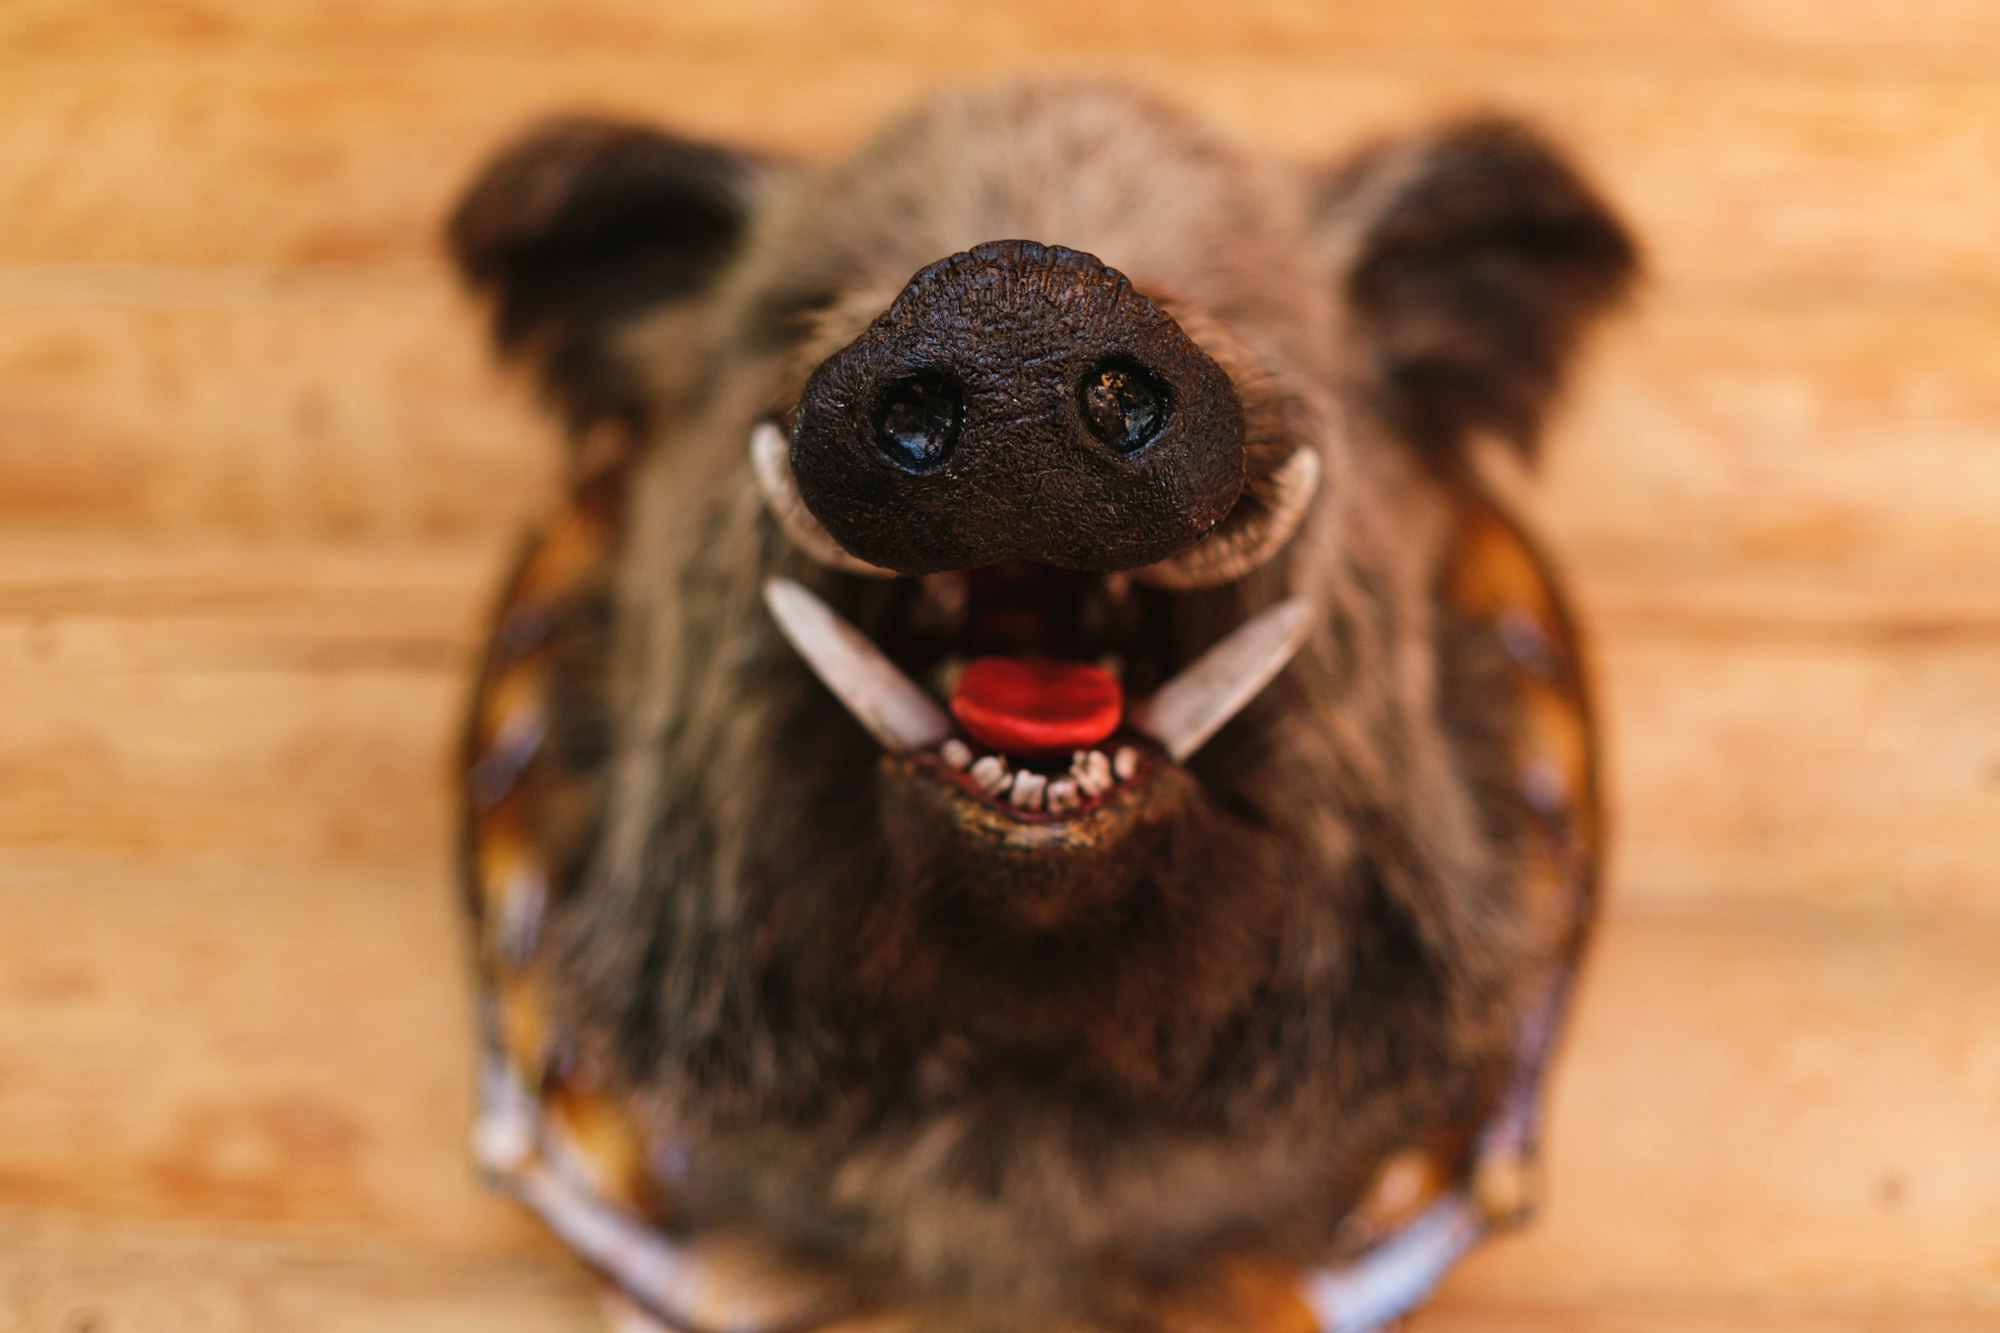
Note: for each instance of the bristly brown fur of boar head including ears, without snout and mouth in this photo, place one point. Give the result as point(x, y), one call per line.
point(1309, 958)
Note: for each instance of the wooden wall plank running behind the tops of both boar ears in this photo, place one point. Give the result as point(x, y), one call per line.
point(1743, 183)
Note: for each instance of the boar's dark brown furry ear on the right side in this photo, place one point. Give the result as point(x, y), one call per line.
point(1473, 263)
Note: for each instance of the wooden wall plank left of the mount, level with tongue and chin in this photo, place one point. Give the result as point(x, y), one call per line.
point(345, 764)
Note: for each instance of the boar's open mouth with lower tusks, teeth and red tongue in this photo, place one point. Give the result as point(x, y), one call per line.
point(1033, 692)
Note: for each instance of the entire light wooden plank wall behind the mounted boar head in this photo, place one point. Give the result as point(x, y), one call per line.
point(257, 483)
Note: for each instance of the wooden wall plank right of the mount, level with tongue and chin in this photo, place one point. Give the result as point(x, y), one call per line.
point(1807, 772)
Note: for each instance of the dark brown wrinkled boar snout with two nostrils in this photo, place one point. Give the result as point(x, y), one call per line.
point(1019, 403)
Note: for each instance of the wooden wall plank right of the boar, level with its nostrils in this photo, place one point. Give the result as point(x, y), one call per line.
point(1827, 439)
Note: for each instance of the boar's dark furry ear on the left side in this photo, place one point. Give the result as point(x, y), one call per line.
point(583, 225)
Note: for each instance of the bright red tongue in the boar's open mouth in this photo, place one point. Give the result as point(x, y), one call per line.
point(1037, 708)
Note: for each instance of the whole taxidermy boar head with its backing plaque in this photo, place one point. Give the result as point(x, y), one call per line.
point(1031, 782)
